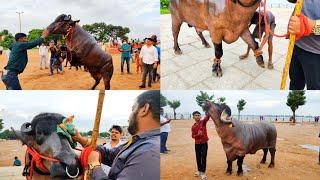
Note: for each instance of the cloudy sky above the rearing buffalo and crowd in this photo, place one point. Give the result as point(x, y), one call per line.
point(141, 16)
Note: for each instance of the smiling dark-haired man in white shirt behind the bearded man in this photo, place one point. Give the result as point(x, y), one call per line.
point(115, 136)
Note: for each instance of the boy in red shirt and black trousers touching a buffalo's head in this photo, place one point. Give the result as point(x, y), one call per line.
point(199, 134)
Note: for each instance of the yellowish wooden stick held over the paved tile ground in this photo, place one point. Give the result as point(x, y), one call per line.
point(285, 72)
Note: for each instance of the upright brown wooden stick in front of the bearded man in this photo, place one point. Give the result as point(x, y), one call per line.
point(95, 131)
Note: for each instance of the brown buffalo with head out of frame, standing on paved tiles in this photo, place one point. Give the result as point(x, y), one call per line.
point(224, 23)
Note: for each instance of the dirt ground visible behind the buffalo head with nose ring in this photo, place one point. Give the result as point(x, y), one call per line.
point(11, 148)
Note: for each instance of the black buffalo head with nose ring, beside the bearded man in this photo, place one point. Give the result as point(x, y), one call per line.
point(41, 135)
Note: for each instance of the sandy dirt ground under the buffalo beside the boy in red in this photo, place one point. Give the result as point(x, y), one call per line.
point(291, 161)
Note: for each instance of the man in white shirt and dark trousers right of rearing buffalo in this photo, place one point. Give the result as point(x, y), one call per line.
point(149, 58)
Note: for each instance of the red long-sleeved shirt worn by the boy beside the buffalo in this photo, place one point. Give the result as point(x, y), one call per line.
point(200, 126)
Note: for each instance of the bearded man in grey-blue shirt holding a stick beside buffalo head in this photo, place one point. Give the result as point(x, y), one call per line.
point(138, 158)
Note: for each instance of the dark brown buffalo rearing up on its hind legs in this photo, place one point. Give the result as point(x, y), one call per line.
point(85, 48)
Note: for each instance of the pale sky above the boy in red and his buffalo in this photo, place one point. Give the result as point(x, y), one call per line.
point(258, 102)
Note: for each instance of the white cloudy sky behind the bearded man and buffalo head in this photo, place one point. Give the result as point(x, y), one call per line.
point(19, 107)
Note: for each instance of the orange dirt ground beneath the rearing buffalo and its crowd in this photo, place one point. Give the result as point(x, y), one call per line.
point(34, 78)
